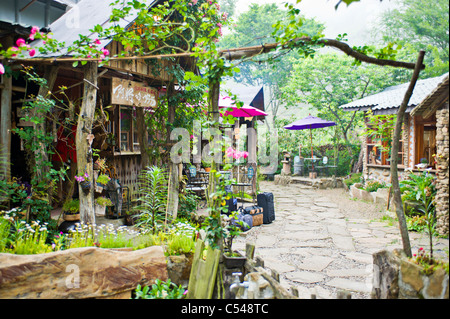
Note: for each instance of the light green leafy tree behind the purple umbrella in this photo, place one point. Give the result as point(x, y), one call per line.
point(330, 80)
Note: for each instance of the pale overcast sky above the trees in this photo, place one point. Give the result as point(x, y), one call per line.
point(355, 20)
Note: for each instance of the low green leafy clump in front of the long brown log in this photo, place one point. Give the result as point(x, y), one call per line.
point(160, 290)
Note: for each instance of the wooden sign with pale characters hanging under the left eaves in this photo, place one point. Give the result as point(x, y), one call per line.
point(125, 92)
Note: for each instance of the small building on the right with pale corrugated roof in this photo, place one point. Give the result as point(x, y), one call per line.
point(418, 143)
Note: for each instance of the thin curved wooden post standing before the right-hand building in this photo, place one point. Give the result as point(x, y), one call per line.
point(394, 158)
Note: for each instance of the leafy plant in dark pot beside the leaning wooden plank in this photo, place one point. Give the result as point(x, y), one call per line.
point(232, 259)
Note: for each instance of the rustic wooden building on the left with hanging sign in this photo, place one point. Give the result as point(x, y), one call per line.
point(125, 89)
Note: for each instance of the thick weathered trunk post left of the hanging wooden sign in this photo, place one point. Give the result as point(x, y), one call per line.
point(83, 146)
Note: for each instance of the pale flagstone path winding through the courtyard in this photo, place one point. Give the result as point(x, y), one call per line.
point(317, 250)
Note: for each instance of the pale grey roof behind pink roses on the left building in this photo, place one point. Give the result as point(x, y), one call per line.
point(81, 18)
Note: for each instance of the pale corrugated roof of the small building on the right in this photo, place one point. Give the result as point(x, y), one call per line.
point(392, 97)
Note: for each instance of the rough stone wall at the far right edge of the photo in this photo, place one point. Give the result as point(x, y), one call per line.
point(442, 156)
